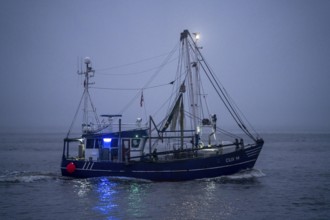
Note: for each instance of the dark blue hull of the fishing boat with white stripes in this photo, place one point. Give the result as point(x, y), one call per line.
point(176, 170)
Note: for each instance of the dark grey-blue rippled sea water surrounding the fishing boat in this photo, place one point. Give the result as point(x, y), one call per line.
point(291, 180)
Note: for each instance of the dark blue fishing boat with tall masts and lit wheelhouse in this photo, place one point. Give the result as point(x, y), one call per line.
point(189, 143)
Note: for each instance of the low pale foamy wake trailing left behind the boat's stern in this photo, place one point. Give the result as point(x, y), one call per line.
point(27, 176)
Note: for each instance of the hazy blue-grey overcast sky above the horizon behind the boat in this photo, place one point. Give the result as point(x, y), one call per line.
point(272, 56)
